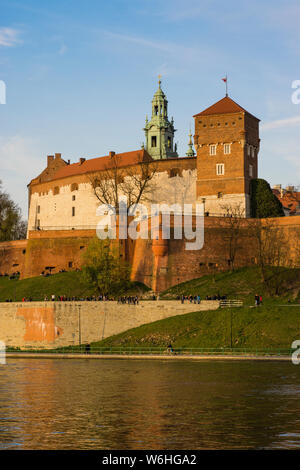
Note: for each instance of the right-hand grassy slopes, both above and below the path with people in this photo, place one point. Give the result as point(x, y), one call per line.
point(268, 326)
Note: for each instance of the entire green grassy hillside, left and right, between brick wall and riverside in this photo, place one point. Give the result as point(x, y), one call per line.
point(267, 326)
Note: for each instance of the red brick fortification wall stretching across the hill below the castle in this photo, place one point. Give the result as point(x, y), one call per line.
point(159, 264)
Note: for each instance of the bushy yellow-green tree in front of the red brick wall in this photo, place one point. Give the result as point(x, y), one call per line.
point(103, 268)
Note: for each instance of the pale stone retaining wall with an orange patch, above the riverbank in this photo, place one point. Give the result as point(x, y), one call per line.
point(55, 324)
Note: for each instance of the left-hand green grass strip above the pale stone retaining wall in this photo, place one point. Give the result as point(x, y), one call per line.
point(70, 284)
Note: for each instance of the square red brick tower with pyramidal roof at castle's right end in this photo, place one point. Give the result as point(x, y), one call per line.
point(227, 145)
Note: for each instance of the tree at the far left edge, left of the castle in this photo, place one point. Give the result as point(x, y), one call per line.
point(12, 227)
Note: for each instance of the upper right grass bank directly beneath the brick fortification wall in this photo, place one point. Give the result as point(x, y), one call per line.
point(243, 284)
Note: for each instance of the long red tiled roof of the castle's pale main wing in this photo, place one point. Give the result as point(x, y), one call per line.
point(103, 163)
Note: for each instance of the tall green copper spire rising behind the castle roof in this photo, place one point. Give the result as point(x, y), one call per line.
point(159, 131)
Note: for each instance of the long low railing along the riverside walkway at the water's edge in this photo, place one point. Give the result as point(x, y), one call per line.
point(155, 351)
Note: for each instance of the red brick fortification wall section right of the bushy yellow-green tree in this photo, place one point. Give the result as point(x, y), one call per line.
point(173, 264)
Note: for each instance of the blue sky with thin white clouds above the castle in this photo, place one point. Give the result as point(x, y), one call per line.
point(80, 77)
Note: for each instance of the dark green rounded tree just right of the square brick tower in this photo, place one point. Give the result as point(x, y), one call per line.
point(263, 202)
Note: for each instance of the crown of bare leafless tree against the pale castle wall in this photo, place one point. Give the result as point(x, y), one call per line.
point(136, 183)
